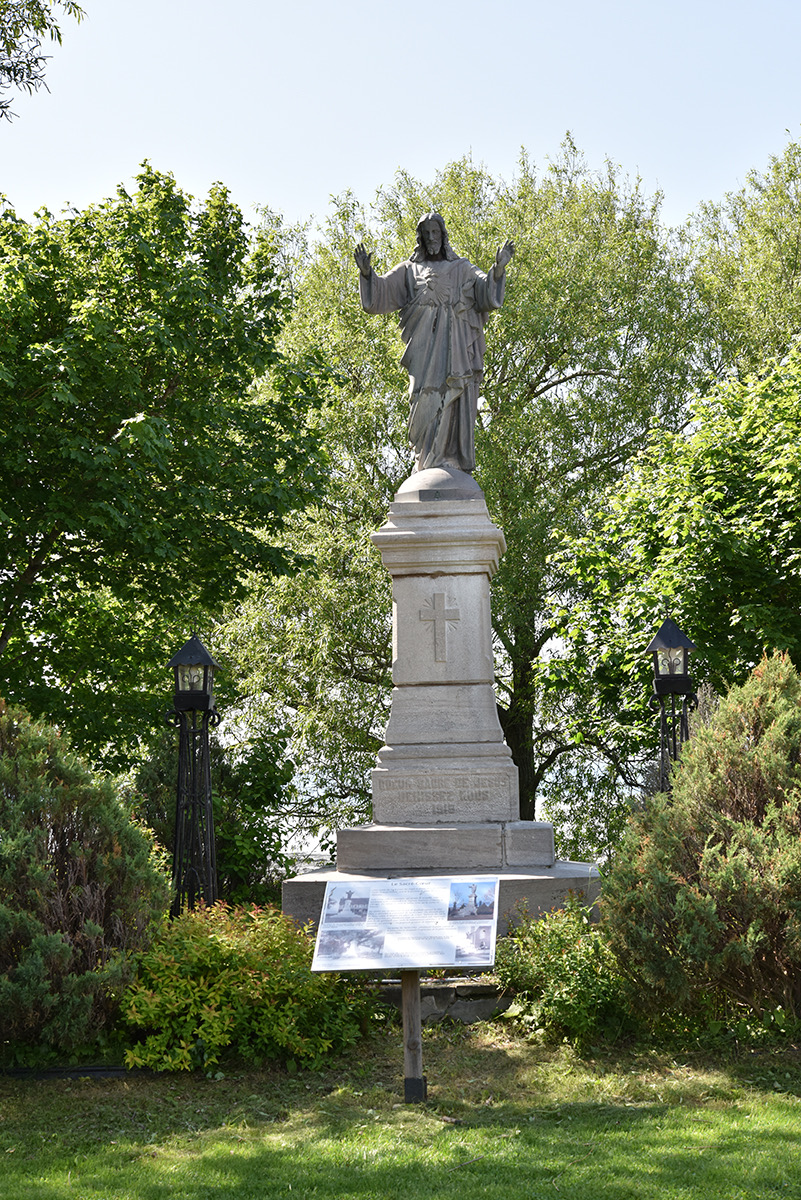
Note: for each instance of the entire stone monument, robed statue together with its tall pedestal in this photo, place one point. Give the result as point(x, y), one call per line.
point(445, 789)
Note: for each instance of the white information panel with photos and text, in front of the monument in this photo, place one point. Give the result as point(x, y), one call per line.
point(408, 923)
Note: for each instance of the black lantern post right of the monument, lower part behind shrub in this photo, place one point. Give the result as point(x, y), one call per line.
point(672, 680)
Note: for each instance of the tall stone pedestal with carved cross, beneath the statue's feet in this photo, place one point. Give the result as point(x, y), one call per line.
point(445, 789)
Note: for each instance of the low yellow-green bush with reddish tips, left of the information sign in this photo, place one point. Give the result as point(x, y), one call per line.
point(238, 979)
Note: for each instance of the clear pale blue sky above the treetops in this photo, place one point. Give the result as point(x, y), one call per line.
point(290, 104)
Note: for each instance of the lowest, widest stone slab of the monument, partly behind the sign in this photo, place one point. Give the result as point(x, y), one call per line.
point(539, 889)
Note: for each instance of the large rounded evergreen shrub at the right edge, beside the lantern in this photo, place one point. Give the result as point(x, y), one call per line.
point(704, 895)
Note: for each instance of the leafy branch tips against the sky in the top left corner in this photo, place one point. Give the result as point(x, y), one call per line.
point(23, 25)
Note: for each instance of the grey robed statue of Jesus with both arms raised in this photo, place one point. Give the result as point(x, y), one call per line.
point(443, 302)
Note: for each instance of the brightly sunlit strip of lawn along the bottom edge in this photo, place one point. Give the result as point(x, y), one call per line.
point(583, 1153)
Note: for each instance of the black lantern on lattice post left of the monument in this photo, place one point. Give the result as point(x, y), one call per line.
point(195, 861)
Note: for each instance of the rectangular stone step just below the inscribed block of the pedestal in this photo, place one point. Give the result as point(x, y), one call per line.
point(477, 847)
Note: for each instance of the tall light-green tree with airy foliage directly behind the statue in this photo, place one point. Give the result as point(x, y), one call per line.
point(594, 349)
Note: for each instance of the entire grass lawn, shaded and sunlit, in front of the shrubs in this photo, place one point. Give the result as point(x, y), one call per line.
point(505, 1120)
